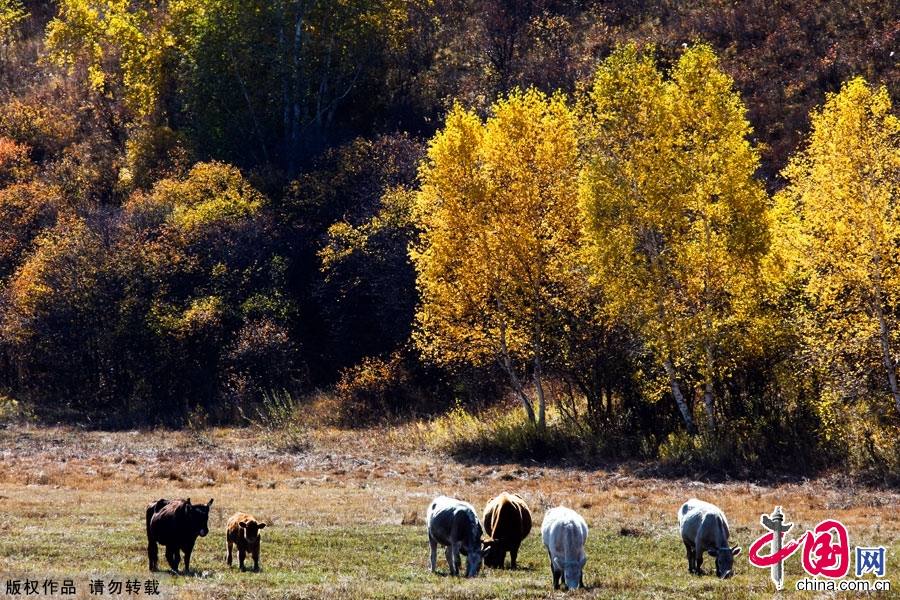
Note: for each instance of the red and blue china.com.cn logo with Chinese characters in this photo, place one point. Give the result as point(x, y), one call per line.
point(825, 553)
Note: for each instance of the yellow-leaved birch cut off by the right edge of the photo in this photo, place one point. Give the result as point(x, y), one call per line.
point(845, 187)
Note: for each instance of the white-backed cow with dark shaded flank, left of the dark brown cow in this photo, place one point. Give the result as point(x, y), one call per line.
point(454, 524)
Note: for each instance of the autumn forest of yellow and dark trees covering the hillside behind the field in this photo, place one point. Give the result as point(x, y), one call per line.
point(654, 230)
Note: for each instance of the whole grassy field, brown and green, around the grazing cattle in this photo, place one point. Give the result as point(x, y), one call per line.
point(346, 516)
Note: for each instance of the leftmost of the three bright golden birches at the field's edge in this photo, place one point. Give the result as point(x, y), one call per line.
point(499, 220)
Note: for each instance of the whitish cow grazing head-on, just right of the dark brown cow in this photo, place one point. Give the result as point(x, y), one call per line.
point(564, 533)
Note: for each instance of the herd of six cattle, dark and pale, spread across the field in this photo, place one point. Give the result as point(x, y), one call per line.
point(453, 524)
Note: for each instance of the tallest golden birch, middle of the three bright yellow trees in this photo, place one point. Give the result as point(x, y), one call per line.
point(676, 224)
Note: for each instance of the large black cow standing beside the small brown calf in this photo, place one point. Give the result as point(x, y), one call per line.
point(175, 524)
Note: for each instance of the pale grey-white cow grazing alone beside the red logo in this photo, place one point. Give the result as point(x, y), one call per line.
point(705, 529)
